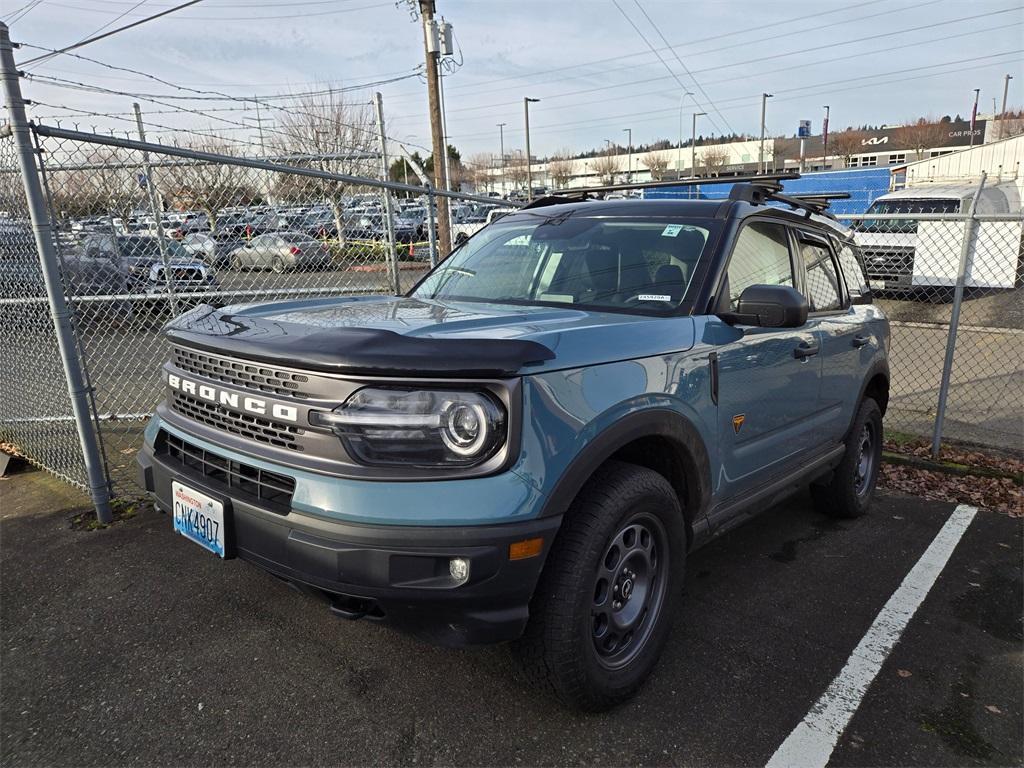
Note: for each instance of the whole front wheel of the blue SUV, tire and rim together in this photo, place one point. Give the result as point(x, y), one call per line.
point(605, 605)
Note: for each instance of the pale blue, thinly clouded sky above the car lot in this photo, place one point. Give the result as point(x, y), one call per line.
point(590, 62)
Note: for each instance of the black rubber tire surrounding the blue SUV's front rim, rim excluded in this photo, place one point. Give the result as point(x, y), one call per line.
point(559, 650)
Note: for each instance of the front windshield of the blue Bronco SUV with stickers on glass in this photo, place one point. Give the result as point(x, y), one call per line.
point(598, 264)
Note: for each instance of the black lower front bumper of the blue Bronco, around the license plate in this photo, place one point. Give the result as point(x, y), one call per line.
point(398, 574)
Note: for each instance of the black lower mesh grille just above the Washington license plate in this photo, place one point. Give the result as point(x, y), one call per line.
point(271, 490)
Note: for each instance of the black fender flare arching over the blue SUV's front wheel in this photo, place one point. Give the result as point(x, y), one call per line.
point(657, 422)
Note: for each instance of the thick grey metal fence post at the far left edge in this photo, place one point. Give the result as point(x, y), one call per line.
point(77, 390)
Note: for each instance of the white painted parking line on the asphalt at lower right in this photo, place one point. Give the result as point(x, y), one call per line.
point(812, 744)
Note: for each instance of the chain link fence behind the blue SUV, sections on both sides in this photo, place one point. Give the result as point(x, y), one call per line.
point(144, 233)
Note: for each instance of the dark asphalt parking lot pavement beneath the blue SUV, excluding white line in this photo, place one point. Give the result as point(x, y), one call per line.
point(133, 647)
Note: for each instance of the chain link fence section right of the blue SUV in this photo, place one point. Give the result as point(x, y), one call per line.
point(930, 272)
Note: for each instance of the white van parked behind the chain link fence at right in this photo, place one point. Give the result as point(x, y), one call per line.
point(903, 254)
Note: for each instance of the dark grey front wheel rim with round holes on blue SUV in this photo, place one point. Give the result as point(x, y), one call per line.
point(629, 590)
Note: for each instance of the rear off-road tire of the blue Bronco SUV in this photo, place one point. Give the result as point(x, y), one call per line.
point(847, 494)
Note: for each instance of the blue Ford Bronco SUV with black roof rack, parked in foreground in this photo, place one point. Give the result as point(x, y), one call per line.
point(527, 446)
